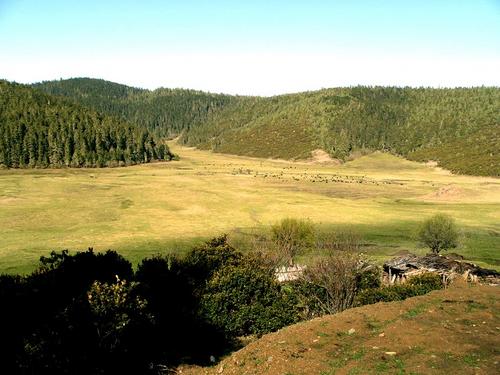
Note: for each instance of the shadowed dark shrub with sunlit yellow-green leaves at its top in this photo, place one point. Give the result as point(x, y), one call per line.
point(106, 330)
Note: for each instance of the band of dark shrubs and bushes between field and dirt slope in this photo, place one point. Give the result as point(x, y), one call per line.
point(96, 315)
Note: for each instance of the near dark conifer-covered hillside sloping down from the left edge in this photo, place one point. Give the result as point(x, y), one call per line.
point(40, 130)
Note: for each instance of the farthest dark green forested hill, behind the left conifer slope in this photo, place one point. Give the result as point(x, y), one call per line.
point(166, 112)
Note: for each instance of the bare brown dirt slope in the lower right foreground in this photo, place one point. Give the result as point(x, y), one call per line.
point(454, 331)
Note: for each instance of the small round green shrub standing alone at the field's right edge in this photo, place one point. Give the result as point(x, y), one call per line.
point(439, 233)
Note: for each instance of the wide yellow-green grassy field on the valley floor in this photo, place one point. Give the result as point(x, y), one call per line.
point(168, 207)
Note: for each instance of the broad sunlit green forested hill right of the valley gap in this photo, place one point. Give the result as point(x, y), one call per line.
point(459, 128)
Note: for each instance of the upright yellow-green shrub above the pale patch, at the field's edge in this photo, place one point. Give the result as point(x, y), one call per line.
point(292, 236)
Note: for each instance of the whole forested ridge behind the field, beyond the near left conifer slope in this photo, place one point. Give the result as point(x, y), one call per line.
point(459, 128)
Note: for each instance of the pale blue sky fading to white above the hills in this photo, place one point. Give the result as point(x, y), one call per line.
point(257, 47)
